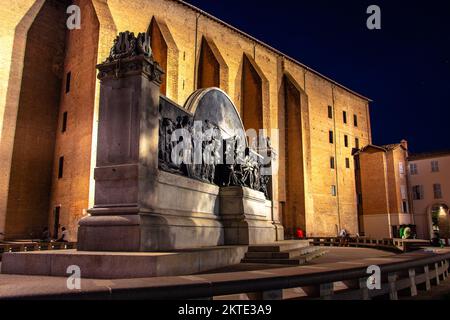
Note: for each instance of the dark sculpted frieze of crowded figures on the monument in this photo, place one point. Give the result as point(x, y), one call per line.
point(219, 161)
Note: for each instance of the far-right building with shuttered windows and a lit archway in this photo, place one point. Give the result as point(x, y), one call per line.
point(430, 187)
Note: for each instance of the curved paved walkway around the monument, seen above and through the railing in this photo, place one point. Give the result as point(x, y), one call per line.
point(337, 259)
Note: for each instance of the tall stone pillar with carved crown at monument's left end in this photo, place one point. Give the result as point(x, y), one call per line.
point(127, 147)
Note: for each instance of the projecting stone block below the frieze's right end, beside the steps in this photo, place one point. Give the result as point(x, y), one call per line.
point(246, 216)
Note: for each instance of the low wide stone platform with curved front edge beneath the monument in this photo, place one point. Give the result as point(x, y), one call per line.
point(121, 265)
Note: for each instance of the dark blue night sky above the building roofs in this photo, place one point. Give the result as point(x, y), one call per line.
point(404, 67)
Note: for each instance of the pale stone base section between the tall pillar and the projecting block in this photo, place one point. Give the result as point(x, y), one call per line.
point(186, 215)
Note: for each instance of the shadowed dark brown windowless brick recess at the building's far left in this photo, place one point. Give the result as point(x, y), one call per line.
point(34, 138)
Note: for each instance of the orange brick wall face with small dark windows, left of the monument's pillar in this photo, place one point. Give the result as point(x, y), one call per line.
point(71, 192)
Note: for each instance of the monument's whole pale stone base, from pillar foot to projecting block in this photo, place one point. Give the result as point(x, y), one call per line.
point(188, 214)
